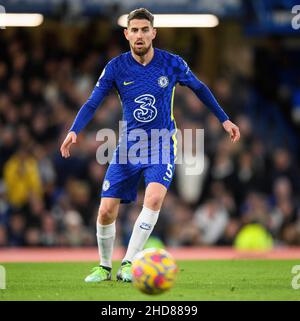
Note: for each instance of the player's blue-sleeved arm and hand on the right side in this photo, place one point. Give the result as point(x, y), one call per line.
point(187, 78)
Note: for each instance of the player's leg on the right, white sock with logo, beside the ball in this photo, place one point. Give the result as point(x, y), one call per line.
point(143, 227)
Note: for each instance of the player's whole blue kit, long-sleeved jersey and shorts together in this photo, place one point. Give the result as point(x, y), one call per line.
point(146, 94)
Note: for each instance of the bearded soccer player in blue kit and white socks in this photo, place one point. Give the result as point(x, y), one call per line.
point(145, 79)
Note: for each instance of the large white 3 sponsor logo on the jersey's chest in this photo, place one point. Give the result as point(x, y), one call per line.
point(146, 111)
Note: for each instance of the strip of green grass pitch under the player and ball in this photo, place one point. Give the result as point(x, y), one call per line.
point(196, 281)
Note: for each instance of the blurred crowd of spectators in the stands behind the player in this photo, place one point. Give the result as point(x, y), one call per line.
point(46, 200)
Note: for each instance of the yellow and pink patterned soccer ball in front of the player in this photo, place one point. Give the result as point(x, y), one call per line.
point(153, 271)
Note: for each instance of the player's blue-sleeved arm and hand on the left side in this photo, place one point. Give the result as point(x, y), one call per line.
point(87, 111)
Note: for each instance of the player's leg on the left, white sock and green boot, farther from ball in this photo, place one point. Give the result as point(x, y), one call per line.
point(106, 232)
